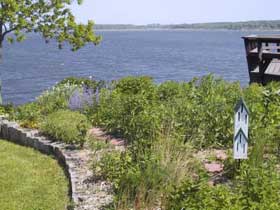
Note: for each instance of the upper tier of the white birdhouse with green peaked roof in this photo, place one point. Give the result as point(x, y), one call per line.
point(241, 118)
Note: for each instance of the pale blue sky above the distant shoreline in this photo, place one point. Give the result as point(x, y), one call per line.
point(175, 11)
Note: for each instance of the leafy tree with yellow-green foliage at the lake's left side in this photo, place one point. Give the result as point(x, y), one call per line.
point(51, 18)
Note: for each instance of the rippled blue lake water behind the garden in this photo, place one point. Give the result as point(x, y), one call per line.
point(33, 66)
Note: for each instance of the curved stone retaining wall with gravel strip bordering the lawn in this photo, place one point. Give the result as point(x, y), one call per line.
point(86, 193)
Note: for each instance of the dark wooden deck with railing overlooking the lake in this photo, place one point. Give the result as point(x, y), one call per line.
point(263, 57)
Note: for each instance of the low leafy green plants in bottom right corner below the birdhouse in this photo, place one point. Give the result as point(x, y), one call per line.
point(255, 188)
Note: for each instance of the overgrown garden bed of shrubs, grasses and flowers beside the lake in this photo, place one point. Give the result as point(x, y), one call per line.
point(172, 132)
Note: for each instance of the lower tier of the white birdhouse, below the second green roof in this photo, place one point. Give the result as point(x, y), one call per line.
point(240, 145)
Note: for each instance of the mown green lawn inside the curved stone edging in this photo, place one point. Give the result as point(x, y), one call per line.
point(30, 180)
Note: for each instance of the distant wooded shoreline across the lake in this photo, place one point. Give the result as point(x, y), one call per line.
point(248, 25)
